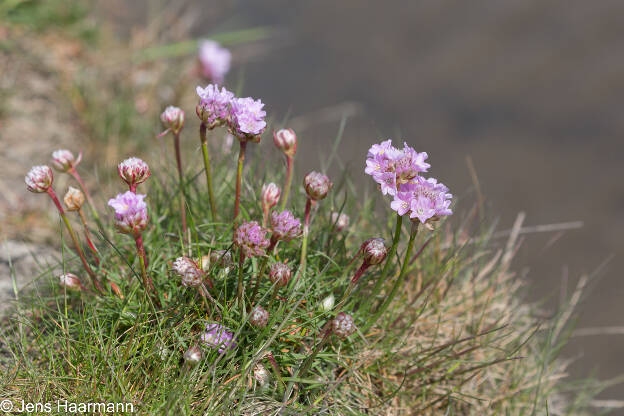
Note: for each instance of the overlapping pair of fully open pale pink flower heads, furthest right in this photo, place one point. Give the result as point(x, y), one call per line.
point(397, 173)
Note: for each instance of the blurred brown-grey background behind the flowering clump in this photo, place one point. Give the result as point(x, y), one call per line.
point(518, 104)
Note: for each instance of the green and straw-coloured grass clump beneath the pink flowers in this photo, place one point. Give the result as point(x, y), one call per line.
point(456, 340)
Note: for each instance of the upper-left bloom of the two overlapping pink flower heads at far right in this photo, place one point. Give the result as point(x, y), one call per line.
point(391, 168)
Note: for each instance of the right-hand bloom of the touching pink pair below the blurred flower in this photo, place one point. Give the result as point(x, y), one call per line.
point(247, 119)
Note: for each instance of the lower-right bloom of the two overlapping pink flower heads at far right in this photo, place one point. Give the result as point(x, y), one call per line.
point(424, 199)
